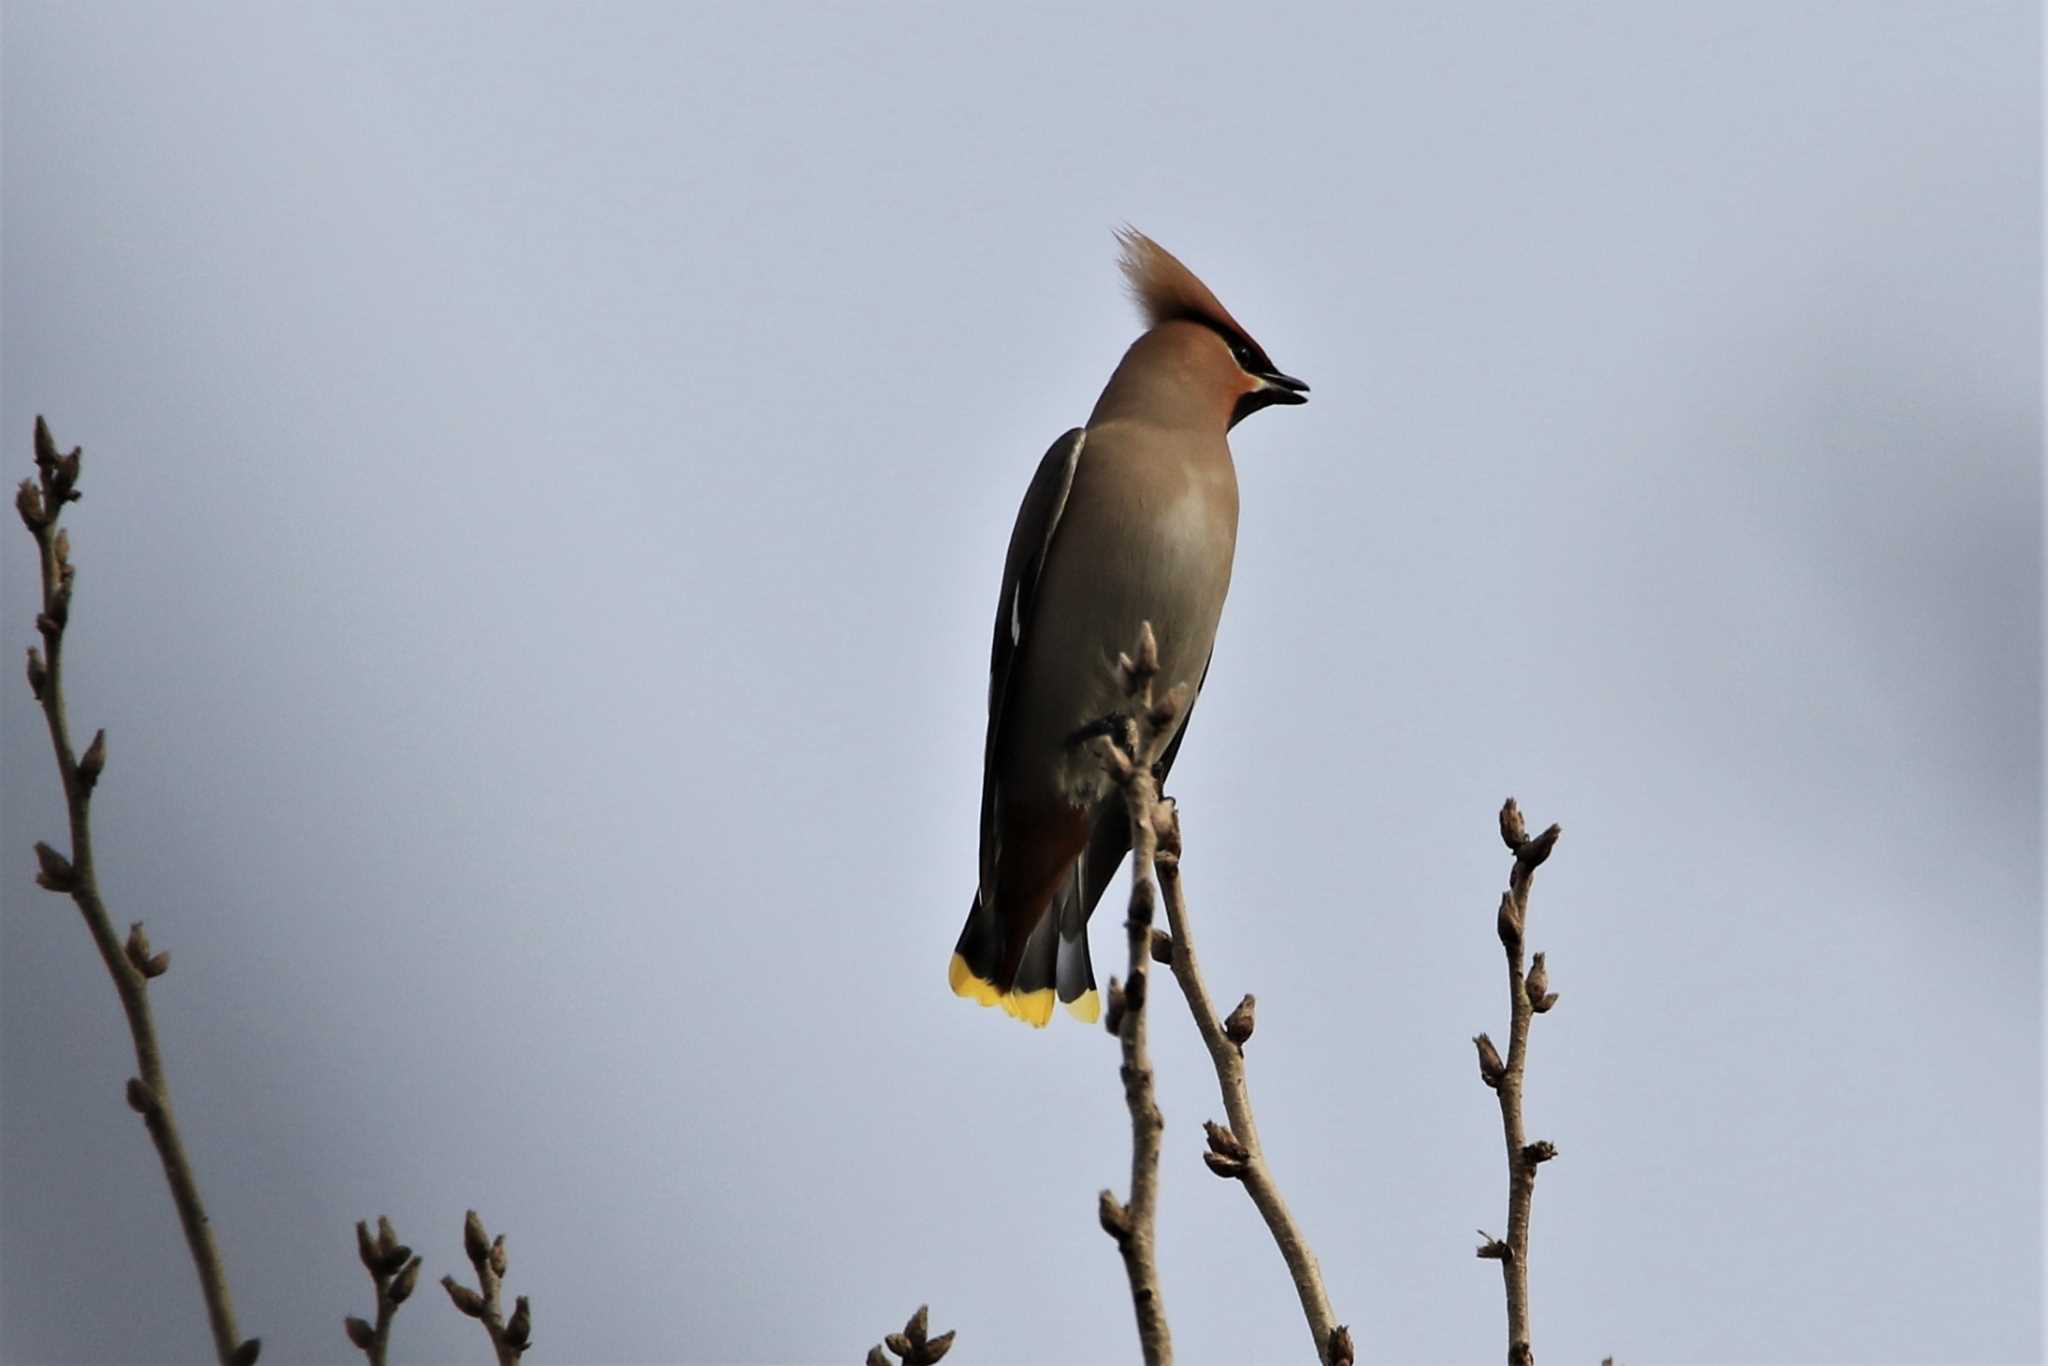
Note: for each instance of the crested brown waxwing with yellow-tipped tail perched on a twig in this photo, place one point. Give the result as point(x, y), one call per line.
point(1129, 519)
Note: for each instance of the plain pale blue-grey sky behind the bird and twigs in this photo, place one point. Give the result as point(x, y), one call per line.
point(548, 476)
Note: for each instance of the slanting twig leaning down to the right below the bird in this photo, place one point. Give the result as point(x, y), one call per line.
point(1236, 1152)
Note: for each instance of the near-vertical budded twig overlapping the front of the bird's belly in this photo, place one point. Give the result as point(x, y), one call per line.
point(1129, 761)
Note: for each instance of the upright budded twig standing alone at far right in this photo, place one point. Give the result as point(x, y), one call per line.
point(1527, 996)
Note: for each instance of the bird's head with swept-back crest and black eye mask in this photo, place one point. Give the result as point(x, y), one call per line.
point(1197, 339)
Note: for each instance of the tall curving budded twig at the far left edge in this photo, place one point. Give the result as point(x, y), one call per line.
point(42, 503)
